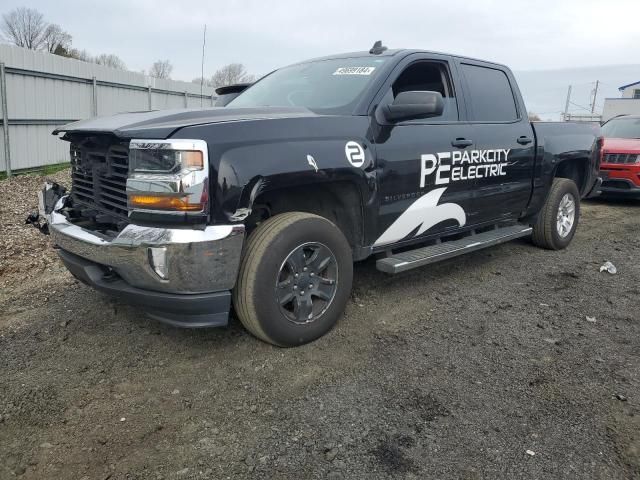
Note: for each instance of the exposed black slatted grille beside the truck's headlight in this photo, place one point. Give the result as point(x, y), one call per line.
point(99, 176)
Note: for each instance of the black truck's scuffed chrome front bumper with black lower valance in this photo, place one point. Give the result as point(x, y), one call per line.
point(197, 268)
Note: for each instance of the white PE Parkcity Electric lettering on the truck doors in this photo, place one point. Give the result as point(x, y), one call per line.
point(463, 165)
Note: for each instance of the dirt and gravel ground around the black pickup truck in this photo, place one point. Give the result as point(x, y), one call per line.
point(512, 362)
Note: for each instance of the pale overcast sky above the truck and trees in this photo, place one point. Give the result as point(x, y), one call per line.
point(526, 35)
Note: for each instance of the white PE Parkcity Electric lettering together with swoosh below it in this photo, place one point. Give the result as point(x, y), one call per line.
point(447, 167)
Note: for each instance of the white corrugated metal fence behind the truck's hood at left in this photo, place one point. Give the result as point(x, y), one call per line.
point(45, 90)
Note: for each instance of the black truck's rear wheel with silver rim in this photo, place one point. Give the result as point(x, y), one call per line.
point(547, 233)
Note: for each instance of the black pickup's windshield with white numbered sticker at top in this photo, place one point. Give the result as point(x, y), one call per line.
point(323, 86)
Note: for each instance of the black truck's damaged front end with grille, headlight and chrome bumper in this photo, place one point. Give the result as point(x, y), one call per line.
point(134, 226)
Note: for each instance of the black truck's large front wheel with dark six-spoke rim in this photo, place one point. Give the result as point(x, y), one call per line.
point(283, 255)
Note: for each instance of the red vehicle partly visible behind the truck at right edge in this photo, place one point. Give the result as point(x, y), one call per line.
point(620, 166)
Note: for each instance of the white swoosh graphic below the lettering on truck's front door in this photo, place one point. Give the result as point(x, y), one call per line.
point(423, 213)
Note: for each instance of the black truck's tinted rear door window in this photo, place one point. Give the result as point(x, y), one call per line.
point(491, 95)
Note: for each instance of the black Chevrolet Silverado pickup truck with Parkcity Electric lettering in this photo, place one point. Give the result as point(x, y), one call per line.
point(411, 156)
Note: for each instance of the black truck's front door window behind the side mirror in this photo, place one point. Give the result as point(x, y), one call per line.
point(428, 76)
